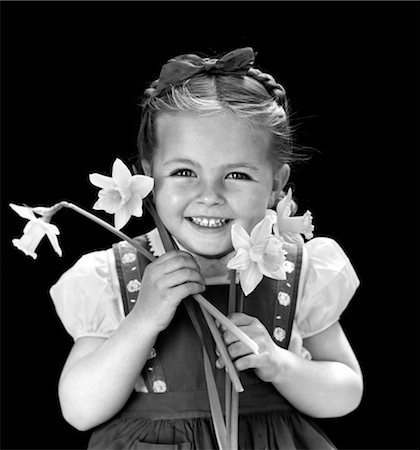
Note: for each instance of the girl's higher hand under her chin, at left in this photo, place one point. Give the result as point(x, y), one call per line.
point(166, 281)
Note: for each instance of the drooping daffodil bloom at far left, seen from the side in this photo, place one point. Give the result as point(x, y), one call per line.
point(34, 231)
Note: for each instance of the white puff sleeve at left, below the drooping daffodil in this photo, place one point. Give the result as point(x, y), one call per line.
point(87, 297)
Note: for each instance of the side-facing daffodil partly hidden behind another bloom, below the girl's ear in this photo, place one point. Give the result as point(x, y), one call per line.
point(296, 224)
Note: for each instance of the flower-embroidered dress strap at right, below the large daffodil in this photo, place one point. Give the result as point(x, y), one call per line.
point(287, 290)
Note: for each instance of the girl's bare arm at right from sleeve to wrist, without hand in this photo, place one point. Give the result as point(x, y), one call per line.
point(330, 384)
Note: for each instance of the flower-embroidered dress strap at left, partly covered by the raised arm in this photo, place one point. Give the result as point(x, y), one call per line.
point(130, 268)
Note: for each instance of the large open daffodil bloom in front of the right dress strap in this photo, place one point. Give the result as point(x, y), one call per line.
point(258, 254)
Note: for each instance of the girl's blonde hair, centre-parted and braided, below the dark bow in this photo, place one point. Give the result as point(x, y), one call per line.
point(256, 98)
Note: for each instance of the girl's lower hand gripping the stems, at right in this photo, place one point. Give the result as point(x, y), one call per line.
point(267, 363)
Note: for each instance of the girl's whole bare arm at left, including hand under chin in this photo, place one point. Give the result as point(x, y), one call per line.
point(100, 374)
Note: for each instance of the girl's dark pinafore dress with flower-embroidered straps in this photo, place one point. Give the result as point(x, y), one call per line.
point(175, 412)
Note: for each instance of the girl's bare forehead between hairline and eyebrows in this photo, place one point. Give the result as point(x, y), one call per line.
point(219, 135)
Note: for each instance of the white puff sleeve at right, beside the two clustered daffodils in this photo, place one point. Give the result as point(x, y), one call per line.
point(329, 282)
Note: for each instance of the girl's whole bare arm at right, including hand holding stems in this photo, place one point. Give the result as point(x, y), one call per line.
point(329, 385)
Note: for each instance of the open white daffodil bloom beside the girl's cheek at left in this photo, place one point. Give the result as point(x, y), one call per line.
point(122, 194)
